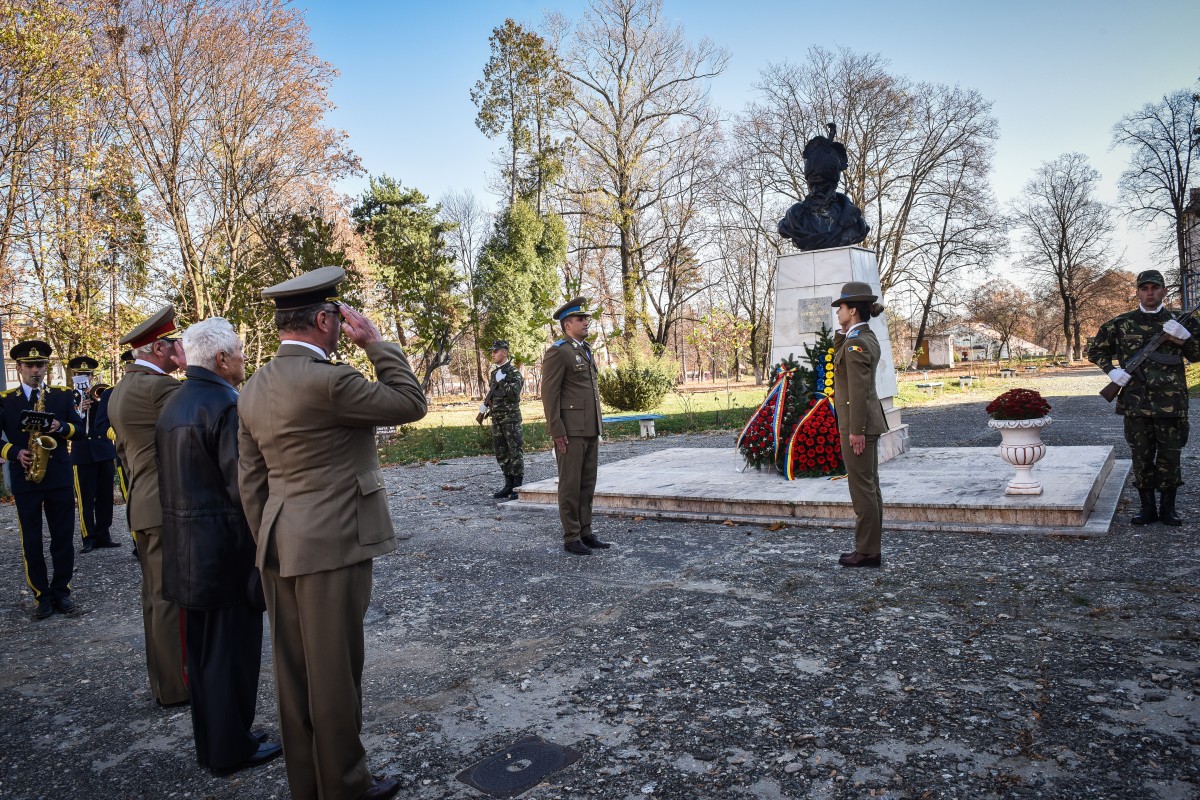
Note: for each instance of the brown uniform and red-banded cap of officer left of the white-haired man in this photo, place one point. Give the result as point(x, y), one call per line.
point(134, 410)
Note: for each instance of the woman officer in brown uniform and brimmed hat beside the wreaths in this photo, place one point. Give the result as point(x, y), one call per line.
point(860, 418)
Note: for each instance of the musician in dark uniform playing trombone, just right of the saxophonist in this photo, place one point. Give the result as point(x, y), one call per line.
point(93, 456)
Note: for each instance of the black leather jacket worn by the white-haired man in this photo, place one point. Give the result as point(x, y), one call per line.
point(208, 550)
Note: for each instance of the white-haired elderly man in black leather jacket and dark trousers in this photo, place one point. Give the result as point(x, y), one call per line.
point(209, 552)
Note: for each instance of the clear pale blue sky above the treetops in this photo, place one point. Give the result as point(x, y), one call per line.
point(1060, 73)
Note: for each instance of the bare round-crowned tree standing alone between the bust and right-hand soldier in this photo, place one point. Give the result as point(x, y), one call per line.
point(1066, 234)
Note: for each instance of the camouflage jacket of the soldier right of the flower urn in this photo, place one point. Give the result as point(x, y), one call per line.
point(1161, 389)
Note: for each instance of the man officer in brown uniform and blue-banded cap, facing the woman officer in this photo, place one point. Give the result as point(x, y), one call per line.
point(572, 401)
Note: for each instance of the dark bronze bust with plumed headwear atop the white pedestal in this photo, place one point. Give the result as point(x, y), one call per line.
point(825, 218)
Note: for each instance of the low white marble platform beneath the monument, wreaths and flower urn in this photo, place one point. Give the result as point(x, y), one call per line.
point(927, 489)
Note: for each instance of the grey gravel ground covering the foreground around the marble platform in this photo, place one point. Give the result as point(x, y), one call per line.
point(692, 661)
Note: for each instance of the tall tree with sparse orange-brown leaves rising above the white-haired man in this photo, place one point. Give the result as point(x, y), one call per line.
point(223, 105)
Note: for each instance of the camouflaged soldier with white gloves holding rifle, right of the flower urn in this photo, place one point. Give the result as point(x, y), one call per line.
point(1155, 400)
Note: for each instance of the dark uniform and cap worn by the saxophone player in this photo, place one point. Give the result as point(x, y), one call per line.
point(53, 496)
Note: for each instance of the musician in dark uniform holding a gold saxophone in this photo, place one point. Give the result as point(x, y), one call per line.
point(43, 486)
